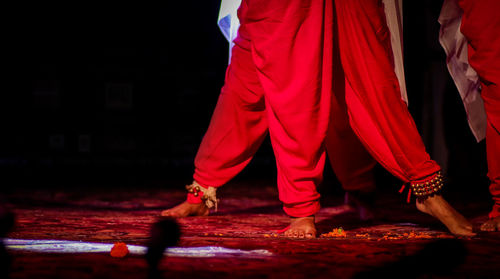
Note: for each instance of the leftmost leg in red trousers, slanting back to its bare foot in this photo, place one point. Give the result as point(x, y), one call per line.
point(237, 129)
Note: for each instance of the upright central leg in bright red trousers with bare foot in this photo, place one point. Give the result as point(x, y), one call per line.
point(292, 51)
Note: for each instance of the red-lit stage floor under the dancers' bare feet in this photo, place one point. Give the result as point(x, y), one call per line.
point(402, 242)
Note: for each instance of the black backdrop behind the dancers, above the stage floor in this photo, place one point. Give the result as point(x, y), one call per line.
point(123, 93)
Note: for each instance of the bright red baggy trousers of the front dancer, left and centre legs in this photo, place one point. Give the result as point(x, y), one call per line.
point(279, 80)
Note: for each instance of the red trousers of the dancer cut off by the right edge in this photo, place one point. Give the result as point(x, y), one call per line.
point(481, 26)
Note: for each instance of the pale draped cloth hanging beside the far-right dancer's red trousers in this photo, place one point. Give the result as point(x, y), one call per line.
point(464, 76)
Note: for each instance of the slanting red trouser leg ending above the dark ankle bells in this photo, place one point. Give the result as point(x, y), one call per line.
point(377, 113)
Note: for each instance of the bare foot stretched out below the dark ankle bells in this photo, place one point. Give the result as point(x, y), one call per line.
point(436, 206)
